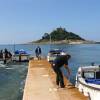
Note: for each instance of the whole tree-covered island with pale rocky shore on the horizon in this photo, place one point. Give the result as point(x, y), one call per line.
point(61, 35)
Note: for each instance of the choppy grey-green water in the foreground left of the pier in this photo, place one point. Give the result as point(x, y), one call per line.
point(12, 79)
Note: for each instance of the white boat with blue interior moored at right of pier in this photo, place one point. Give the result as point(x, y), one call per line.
point(88, 81)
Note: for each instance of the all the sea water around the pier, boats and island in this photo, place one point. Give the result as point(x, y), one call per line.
point(12, 76)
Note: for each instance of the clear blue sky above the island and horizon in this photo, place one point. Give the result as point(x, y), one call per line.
point(22, 21)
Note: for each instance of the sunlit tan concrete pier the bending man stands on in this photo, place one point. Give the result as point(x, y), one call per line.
point(40, 84)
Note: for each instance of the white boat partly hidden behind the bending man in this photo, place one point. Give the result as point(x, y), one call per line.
point(53, 54)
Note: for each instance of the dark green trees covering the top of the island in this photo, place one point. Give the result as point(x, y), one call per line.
point(60, 34)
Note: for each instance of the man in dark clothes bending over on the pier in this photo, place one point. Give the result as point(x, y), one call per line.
point(61, 60)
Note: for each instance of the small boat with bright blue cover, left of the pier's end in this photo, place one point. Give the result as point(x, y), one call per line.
point(21, 56)
